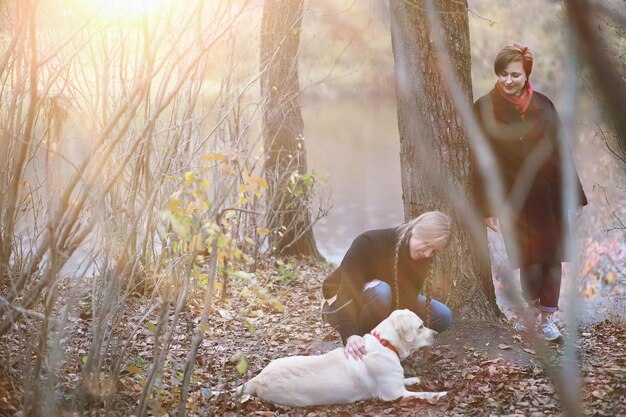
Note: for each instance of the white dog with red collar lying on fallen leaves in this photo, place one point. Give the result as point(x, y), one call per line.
point(334, 379)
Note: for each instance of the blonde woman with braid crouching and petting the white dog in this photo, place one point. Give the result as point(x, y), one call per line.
point(385, 270)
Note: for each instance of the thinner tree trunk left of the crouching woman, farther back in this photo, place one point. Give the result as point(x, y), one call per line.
point(289, 218)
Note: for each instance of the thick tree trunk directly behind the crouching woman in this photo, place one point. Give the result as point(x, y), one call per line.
point(434, 150)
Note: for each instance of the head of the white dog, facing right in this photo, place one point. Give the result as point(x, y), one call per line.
point(406, 331)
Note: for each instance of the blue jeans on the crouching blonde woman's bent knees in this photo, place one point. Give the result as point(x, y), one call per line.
point(377, 303)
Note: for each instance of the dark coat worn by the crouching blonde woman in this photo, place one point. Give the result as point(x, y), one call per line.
point(371, 256)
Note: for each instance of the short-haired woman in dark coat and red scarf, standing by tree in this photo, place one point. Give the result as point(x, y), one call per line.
point(522, 127)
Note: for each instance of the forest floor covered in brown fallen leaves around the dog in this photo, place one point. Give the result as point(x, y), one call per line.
point(487, 368)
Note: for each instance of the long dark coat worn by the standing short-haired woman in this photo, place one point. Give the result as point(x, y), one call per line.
point(529, 158)
